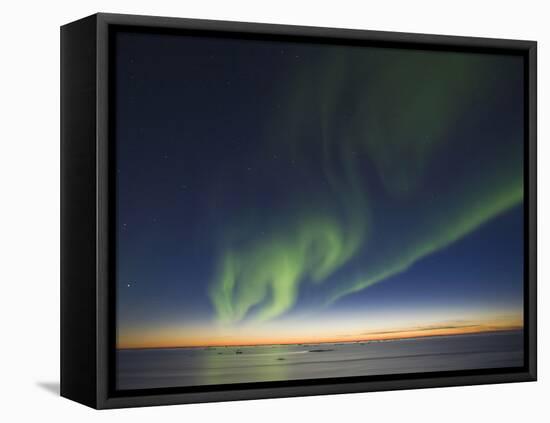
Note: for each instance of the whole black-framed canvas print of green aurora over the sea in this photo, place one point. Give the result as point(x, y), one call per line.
point(255, 211)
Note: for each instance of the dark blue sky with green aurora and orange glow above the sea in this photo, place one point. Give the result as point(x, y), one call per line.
point(270, 190)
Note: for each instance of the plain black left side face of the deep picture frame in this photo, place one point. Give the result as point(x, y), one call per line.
point(78, 215)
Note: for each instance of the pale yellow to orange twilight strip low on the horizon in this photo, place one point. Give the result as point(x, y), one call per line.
point(216, 336)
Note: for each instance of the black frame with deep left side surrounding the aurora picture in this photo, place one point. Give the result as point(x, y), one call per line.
point(87, 194)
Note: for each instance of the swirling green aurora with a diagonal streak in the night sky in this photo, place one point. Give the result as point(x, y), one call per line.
point(392, 112)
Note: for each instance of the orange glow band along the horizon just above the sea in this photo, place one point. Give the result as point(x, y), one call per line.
point(201, 337)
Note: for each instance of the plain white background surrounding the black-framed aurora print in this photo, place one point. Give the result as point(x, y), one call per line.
point(29, 221)
